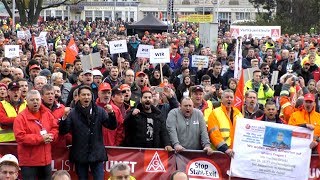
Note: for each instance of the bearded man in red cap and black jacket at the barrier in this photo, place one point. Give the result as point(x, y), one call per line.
point(145, 126)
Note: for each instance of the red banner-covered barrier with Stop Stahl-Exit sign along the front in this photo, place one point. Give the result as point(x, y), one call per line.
point(157, 163)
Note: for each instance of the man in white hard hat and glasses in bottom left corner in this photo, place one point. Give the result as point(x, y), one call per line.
point(9, 167)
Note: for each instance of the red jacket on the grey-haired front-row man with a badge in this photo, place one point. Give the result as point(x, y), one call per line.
point(32, 151)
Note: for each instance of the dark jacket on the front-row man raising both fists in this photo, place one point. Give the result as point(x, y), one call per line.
point(87, 139)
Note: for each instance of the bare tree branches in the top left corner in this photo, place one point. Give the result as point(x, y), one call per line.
point(29, 10)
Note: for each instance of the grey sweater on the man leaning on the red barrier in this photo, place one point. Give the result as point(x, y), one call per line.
point(190, 133)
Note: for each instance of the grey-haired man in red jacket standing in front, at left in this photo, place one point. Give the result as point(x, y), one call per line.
point(35, 129)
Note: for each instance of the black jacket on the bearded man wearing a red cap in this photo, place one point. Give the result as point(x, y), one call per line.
point(136, 129)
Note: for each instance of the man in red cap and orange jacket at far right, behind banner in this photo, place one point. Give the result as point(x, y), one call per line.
point(308, 110)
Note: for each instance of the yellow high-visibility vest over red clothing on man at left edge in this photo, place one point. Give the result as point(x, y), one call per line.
point(7, 135)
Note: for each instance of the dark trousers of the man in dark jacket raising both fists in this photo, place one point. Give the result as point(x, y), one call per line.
point(82, 170)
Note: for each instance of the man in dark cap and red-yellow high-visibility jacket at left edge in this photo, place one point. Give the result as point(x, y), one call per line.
point(9, 109)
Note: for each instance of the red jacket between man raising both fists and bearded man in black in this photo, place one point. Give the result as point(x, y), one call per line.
point(113, 137)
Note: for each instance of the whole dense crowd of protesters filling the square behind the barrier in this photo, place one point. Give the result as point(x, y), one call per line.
point(126, 102)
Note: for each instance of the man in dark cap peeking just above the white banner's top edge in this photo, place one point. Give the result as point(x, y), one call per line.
point(270, 113)
